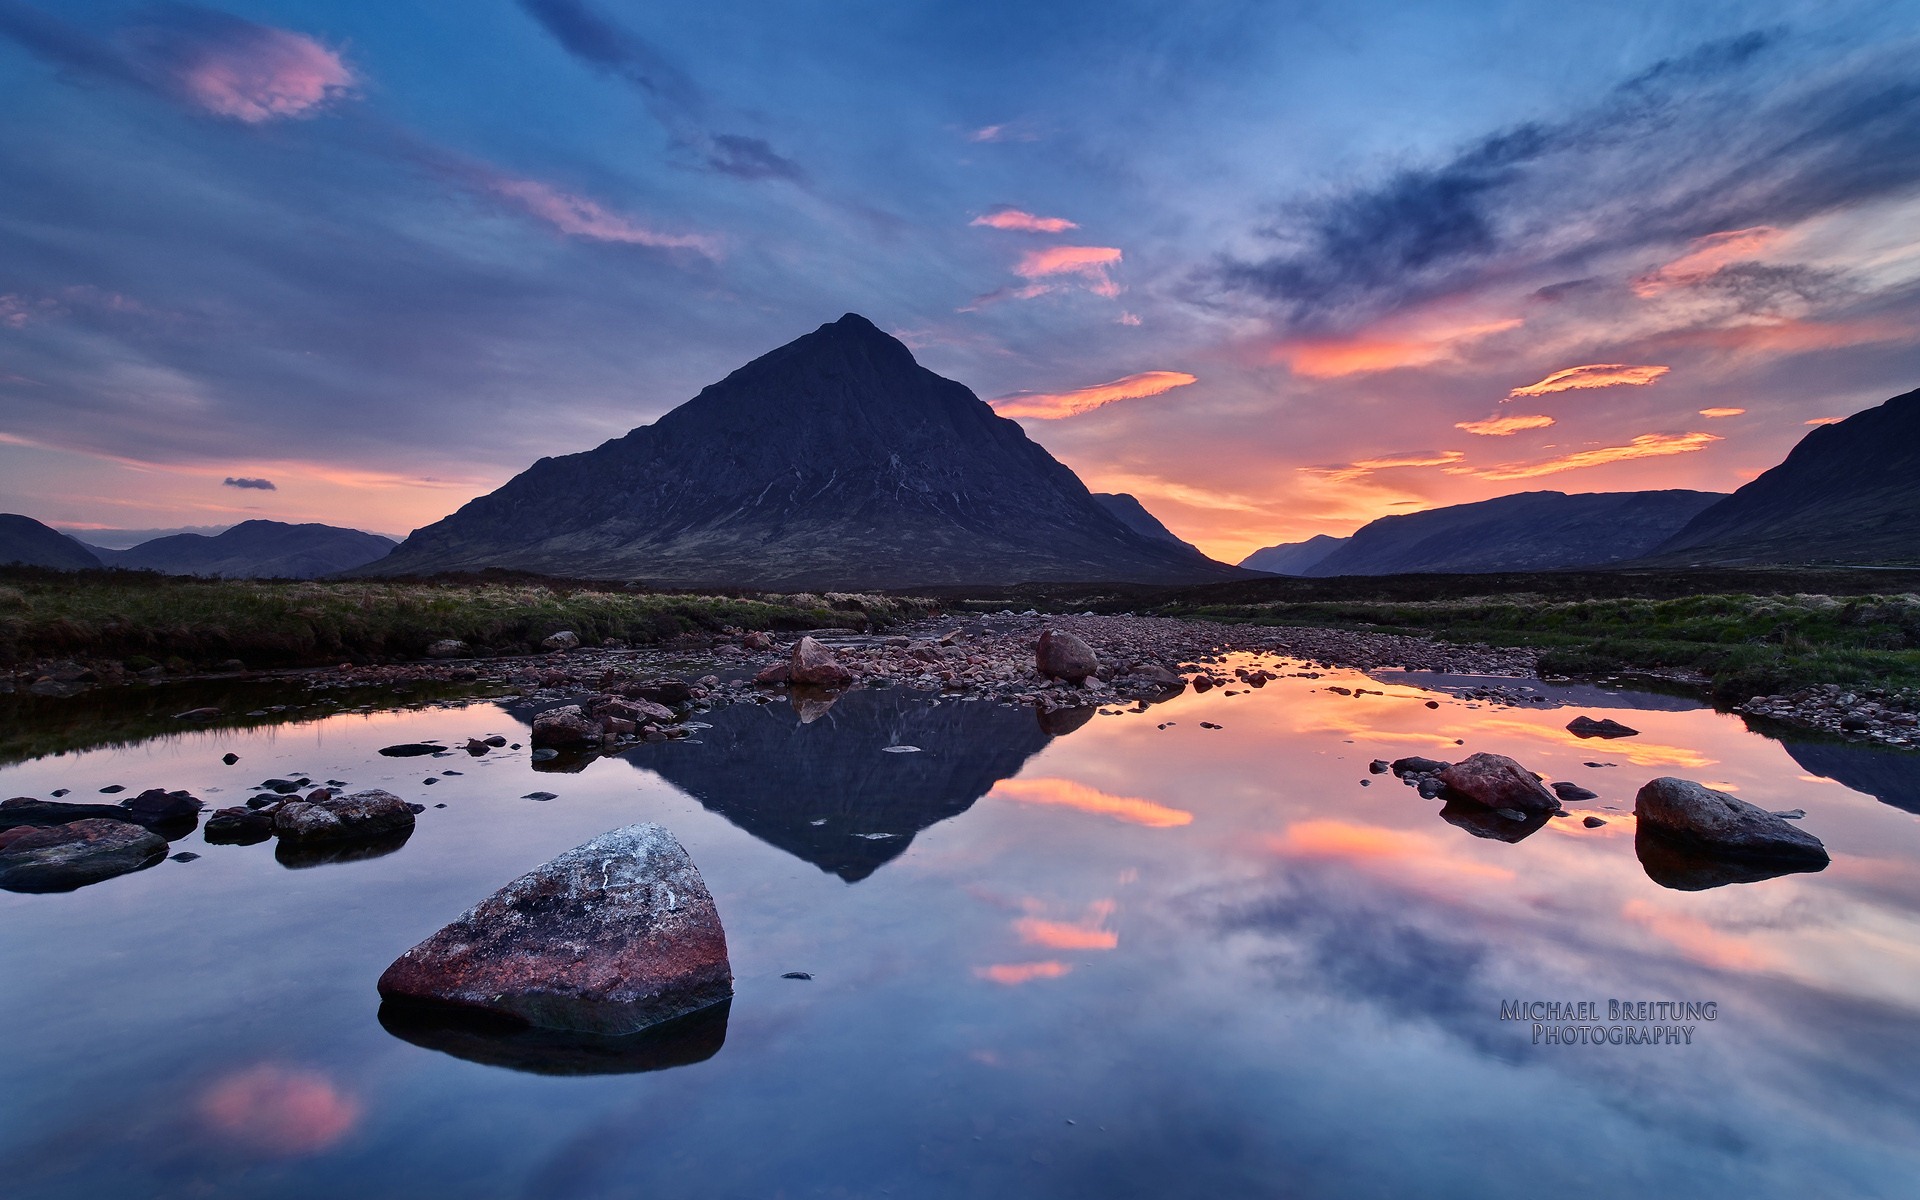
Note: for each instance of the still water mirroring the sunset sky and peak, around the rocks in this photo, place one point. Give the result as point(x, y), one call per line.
point(1047, 961)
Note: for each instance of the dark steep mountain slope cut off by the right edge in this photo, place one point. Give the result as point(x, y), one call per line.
point(1850, 492)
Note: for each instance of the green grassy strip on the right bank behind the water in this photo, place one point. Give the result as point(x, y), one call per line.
point(1740, 644)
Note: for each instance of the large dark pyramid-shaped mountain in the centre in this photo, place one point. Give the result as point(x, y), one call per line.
point(834, 462)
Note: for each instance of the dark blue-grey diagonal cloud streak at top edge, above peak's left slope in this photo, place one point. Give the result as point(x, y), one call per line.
point(671, 95)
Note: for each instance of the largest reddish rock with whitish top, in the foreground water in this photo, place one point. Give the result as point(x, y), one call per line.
point(610, 938)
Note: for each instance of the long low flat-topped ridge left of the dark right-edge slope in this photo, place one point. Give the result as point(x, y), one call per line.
point(1527, 531)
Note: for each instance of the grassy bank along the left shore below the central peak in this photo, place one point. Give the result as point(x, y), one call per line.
point(143, 619)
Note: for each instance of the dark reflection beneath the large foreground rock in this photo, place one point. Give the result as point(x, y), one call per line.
point(504, 1044)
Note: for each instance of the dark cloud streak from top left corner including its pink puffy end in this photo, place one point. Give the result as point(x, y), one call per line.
point(206, 60)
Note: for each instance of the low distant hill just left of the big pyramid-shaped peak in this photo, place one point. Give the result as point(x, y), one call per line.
point(256, 550)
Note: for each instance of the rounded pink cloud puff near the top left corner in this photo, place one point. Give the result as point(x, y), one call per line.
point(258, 74)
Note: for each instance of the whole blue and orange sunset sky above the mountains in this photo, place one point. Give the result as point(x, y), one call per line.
point(1274, 268)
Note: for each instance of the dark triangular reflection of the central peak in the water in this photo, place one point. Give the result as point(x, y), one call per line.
point(823, 790)
